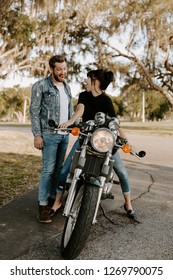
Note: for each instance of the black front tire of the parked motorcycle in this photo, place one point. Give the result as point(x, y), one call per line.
point(77, 228)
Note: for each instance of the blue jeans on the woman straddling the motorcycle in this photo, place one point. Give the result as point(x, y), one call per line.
point(119, 169)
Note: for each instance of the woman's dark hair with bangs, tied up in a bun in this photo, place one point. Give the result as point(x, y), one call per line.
point(104, 77)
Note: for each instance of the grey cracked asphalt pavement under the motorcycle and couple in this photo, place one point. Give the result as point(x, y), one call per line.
point(115, 236)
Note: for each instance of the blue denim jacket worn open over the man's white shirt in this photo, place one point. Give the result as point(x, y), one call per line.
point(45, 104)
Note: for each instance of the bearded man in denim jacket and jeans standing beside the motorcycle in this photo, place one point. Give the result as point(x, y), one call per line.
point(50, 99)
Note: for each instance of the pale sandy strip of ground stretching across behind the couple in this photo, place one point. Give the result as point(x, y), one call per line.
point(155, 138)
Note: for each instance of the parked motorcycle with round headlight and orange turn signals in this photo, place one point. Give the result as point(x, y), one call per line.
point(90, 179)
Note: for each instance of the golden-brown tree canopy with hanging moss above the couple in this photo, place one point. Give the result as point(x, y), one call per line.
point(132, 38)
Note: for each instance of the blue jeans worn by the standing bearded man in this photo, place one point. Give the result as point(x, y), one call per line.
point(53, 153)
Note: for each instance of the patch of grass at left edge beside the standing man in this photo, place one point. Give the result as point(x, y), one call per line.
point(19, 173)
